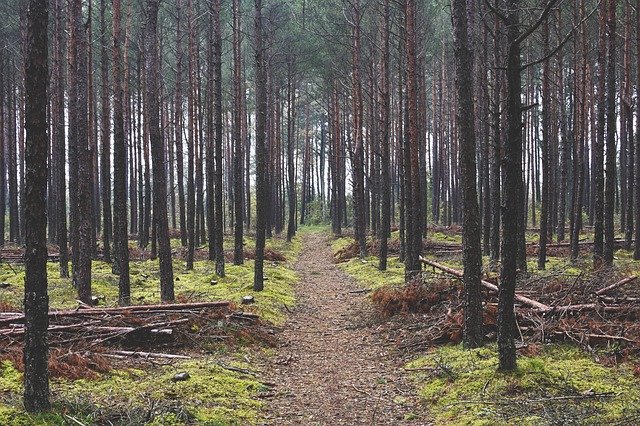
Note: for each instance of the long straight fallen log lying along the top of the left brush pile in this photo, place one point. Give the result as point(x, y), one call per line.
point(135, 309)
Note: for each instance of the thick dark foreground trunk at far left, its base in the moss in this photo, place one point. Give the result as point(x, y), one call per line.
point(36, 299)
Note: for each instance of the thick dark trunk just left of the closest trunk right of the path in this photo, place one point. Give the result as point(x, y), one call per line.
point(473, 334)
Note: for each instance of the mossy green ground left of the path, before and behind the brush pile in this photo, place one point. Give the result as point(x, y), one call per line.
point(213, 395)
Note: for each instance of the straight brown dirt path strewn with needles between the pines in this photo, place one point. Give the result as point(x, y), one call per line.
point(332, 367)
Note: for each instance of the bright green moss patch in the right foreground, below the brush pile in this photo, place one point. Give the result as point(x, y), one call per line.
point(464, 387)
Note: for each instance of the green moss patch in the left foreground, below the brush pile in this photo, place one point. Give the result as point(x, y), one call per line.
point(212, 395)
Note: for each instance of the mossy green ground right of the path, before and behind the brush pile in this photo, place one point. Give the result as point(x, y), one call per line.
point(557, 384)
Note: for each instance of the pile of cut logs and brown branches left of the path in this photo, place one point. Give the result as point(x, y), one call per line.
point(89, 340)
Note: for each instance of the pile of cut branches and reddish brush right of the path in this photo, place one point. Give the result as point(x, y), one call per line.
point(593, 312)
